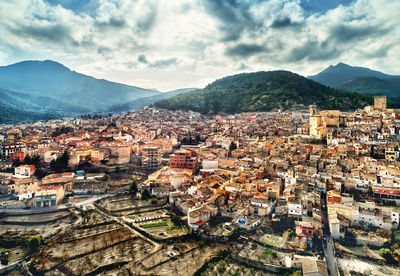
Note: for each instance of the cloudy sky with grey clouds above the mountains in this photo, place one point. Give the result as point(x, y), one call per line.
point(171, 44)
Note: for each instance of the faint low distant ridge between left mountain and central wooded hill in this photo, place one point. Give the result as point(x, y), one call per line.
point(142, 102)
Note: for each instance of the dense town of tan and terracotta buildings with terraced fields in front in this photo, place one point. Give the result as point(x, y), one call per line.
point(298, 192)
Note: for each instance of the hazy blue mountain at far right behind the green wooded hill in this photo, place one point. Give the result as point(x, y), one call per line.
point(359, 79)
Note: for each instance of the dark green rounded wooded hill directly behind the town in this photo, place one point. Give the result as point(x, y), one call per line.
point(263, 91)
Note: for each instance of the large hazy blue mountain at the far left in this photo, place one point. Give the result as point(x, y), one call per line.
point(52, 79)
